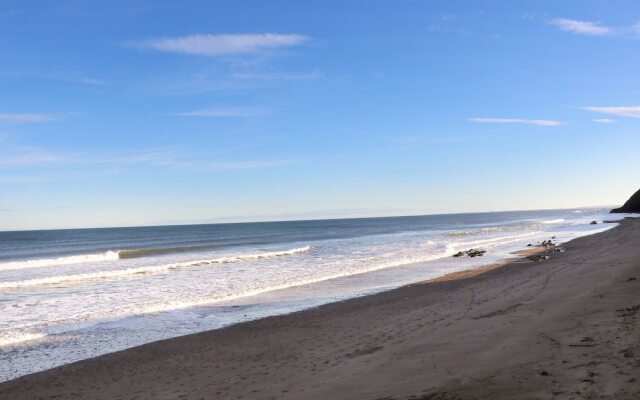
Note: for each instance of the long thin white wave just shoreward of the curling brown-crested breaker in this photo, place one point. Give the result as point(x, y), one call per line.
point(149, 269)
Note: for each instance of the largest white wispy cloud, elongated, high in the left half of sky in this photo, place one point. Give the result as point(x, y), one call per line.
point(222, 44)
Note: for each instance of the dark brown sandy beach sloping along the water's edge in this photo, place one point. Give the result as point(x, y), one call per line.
point(563, 328)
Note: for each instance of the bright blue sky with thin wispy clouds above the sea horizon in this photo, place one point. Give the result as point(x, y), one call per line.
point(134, 112)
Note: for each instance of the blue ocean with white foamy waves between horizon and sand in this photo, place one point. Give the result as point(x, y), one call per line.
point(67, 295)
